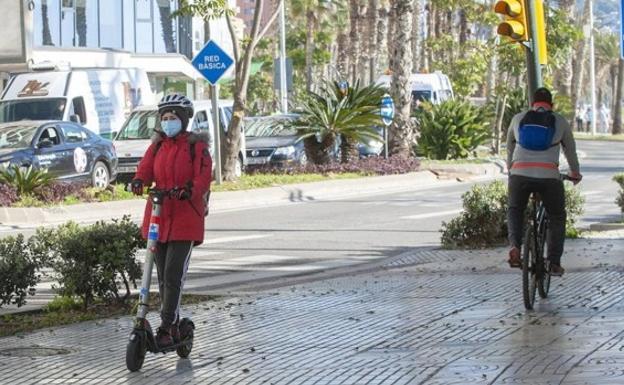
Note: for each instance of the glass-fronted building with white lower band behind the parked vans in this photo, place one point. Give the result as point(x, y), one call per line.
point(106, 34)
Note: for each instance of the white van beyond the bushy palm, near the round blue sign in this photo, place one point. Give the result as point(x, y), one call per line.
point(434, 87)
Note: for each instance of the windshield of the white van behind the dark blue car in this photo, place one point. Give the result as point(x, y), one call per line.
point(32, 109)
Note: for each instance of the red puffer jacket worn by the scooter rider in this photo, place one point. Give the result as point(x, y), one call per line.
point(171, 166)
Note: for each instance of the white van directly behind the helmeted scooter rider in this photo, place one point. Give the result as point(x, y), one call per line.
point(134, 137)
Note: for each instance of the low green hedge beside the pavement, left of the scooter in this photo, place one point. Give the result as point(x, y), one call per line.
point(91, 262)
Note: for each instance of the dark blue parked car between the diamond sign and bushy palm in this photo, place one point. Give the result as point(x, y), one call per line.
point(270, 141)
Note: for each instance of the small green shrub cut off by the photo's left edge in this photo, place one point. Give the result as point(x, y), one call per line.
point(18, 271)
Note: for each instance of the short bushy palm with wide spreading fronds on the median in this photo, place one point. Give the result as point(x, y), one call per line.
point(332, 114)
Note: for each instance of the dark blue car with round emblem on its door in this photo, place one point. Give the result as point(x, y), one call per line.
point(67, 150)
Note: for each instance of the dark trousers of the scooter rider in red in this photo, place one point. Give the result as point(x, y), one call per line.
point(172, 259)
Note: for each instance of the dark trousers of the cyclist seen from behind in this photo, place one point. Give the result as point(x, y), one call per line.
point(552, 193)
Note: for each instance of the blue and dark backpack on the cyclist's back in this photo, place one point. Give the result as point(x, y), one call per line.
point(537, 130)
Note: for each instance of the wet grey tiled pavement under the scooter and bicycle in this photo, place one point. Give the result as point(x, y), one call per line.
point(423, 317)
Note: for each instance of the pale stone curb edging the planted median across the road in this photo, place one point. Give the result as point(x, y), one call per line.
point(20, 217)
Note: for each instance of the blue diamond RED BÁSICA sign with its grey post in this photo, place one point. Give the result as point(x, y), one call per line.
point(212, 62)
